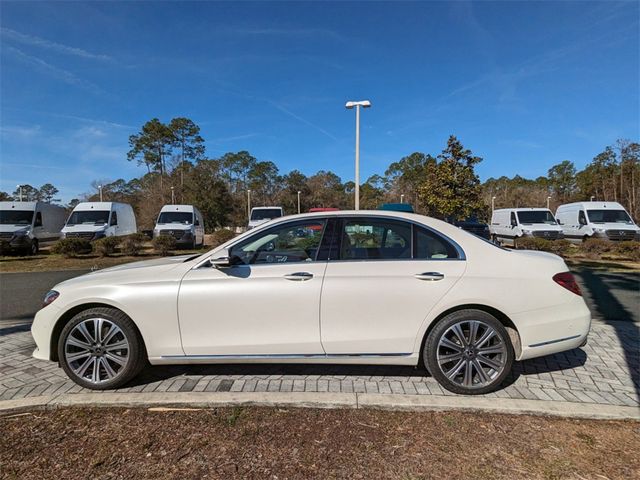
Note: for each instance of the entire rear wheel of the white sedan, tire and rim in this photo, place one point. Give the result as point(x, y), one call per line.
point(469, 352)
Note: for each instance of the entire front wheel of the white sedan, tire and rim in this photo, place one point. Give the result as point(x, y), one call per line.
point(101, 349)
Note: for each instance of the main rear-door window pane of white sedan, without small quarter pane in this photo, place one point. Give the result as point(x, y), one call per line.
point(372, 239)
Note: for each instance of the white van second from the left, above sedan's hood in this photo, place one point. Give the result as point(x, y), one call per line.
point(94, 220)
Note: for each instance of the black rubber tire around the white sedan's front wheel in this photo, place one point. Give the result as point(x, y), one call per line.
point(136, 358)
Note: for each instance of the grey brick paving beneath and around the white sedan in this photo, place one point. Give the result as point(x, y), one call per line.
point(605, 371)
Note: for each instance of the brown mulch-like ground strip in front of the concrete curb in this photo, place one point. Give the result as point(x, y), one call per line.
point(308, 443)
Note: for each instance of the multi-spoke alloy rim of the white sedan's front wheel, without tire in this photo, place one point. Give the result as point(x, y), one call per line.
point(96, 350)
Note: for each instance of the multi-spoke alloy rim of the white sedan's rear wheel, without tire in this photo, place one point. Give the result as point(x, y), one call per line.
point(472, 354)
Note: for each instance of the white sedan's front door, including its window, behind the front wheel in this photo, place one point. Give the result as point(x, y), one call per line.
point(266, 303)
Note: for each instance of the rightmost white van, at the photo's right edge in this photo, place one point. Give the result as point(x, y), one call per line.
point(607, 220)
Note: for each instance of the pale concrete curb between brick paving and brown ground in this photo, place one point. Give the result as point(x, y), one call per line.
point(324, 400)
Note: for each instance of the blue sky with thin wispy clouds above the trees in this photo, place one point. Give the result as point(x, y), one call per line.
point(524, 85)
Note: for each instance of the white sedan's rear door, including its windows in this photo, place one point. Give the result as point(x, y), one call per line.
point(387, 276)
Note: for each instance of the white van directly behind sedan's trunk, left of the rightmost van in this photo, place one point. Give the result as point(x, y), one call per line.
point(509, 224)
